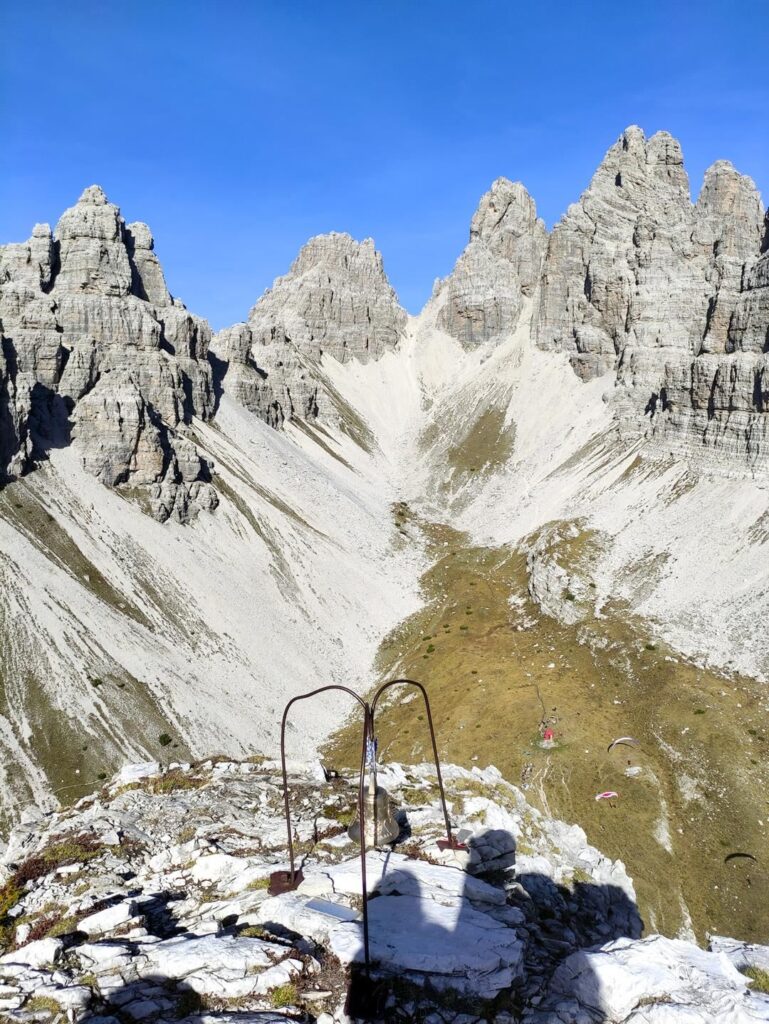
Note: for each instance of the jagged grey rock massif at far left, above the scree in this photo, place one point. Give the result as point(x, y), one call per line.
point(97, 352)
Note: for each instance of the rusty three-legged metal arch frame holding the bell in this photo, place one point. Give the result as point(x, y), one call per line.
point(287, 881)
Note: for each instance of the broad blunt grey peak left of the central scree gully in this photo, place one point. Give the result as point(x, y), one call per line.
point(336, 301)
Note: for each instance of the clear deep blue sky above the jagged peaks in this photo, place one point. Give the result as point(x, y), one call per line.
point(239, 130)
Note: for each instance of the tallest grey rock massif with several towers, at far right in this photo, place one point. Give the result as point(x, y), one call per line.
point(668, 294)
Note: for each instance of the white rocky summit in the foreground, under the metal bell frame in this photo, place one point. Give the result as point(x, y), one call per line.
point(149, 903)
